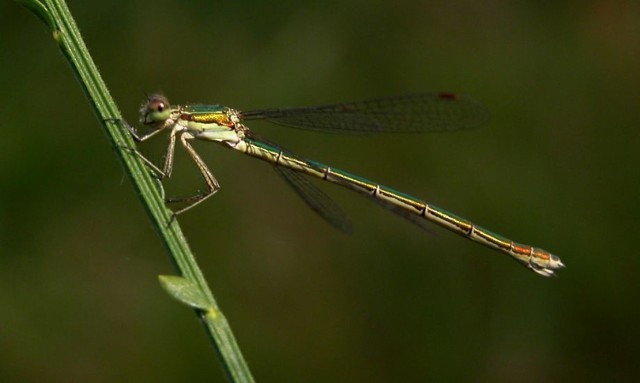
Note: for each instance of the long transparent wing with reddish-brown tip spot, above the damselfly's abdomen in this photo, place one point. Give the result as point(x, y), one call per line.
point(422, 112)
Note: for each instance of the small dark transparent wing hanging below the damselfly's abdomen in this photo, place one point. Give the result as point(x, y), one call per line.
point(316, 199)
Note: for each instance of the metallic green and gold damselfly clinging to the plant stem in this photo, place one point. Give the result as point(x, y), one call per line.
point(425, 112)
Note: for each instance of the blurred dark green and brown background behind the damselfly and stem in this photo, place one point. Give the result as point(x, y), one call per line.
point(557, 167)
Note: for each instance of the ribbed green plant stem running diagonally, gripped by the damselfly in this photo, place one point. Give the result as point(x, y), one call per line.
point(65, 32)
